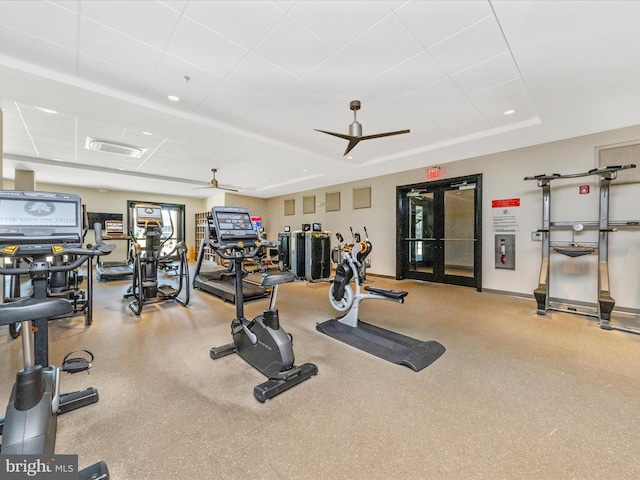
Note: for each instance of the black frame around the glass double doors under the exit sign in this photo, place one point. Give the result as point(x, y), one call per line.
point(402, 225)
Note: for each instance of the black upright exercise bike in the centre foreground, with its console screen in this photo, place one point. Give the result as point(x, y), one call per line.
point(261, 342)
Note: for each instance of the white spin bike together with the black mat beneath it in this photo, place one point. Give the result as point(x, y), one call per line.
point(391, 346)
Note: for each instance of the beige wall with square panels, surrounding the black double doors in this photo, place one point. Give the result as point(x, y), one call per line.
point(503, 177)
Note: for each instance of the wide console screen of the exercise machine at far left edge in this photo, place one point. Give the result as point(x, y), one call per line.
point(38, 220)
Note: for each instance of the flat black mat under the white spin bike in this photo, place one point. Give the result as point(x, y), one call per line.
point(391, 346)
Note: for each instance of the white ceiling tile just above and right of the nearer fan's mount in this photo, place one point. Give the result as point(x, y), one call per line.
point(412, 74)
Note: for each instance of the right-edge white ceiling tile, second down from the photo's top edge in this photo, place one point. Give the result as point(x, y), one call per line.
point(470, 47)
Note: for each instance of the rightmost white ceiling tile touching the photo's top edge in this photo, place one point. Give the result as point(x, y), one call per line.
point(434, 21)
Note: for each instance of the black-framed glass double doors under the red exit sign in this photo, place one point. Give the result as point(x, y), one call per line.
point(439, 231)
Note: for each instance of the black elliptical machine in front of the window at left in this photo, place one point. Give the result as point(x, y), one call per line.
point(145, 287)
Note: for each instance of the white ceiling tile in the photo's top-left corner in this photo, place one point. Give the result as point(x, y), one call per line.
point(42, 20)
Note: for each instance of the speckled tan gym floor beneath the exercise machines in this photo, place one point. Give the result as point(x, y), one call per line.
point(515, 395)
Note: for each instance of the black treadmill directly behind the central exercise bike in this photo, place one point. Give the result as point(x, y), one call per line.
point(220, 281)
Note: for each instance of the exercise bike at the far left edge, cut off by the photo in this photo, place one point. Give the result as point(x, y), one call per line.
point(44, 232)
